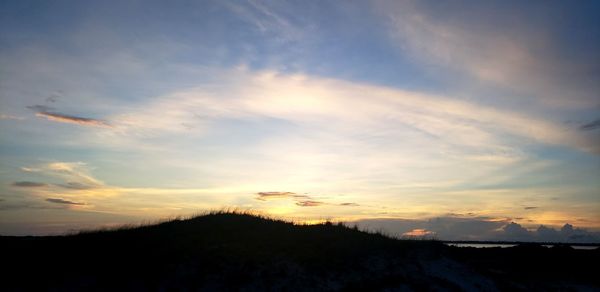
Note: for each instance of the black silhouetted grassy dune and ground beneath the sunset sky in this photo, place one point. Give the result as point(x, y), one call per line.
point(233, 252)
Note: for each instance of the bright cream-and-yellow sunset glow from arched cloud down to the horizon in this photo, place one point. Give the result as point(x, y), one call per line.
point(340, 141)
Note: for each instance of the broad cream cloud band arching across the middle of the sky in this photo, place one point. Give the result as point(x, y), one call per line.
point(318, 103)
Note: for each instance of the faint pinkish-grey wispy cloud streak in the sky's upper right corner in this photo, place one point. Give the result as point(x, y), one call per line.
point(515, 53)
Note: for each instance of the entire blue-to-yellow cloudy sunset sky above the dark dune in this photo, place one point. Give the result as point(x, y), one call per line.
point(457, 119)
